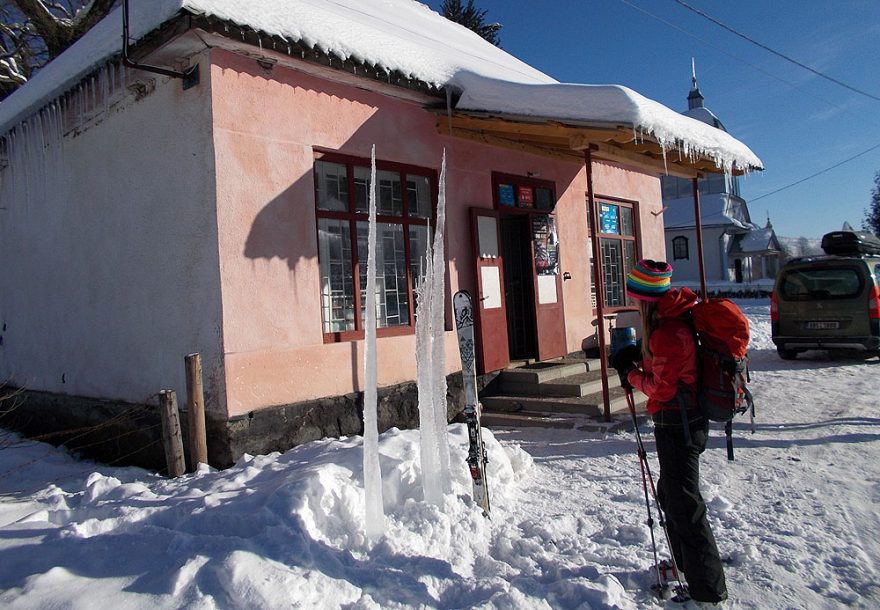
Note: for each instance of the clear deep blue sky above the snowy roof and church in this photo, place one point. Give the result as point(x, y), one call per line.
point(795, 121)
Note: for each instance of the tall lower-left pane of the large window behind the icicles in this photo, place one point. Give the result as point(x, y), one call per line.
point(337, 277)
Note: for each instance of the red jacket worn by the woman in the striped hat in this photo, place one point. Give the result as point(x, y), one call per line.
point(675, 353)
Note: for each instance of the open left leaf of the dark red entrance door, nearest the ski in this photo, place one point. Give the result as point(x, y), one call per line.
point(492, 345)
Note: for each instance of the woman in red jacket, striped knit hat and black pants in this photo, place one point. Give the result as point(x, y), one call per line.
point(667, 374)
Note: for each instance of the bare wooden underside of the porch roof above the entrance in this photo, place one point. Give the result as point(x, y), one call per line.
point(567, 140)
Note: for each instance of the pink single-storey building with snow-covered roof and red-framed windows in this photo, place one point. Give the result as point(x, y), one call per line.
point(147, 218)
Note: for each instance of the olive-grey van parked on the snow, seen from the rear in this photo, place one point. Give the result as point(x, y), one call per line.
point(827, 302)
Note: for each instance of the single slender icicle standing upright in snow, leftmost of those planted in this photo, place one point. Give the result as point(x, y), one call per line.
point(374, 517)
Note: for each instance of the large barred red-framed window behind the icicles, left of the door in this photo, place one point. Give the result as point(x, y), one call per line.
point(404, 207)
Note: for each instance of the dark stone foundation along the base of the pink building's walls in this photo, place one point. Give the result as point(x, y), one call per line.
point(120, 433)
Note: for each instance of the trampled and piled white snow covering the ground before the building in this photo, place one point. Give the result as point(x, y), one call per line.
point(795, 515)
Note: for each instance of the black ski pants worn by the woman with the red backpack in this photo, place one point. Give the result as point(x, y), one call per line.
point(678, 491)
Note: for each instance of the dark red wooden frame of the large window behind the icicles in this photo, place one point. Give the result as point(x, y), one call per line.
point(353, 217)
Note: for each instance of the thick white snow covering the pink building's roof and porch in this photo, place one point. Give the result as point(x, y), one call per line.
point(403, 36)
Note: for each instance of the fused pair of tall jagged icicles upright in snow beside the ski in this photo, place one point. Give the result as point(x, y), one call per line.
point(431, 361)
